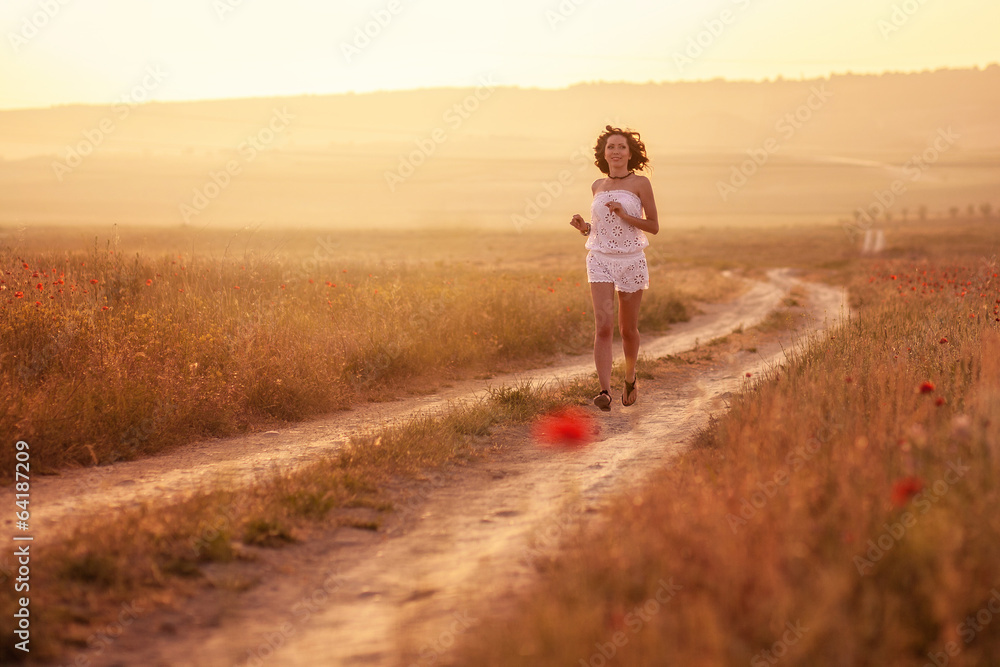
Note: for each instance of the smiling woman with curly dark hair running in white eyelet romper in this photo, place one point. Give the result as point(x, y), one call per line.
point(616, 261)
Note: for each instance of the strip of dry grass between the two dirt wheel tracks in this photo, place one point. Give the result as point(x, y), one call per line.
point(157, 553)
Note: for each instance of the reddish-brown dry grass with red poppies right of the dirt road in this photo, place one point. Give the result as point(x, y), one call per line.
point(794, 510)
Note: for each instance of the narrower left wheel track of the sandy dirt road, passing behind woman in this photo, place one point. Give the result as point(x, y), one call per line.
point(58, 500)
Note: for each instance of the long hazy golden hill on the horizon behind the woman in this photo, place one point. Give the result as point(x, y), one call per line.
point(495, 155)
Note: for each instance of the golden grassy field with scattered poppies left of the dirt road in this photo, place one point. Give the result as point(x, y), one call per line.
point(120, 351)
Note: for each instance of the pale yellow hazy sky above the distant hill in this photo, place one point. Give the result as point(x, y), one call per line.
point(97, 51)
